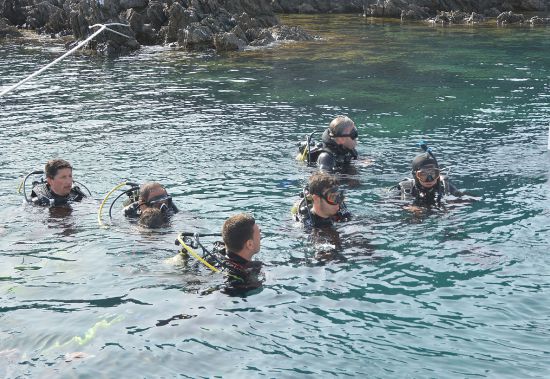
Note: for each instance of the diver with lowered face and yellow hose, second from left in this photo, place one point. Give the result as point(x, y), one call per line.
point(150, 203)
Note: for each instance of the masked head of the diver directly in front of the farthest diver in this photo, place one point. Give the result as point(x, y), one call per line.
point(326, 195)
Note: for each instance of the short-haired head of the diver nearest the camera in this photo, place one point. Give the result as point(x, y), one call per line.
point(241, 235)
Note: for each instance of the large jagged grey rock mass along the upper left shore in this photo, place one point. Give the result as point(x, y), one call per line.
point(223, 25)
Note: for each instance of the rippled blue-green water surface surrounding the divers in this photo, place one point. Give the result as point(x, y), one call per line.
point(462, 293)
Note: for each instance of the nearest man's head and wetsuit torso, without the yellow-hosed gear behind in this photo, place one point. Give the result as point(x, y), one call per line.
point(241, 236)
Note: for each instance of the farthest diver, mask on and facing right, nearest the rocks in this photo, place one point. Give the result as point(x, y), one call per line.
point(337, 149)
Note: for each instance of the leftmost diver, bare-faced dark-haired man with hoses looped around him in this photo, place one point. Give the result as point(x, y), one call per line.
point(58, 189)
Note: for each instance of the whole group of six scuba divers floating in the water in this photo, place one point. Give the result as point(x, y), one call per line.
point(320, 206)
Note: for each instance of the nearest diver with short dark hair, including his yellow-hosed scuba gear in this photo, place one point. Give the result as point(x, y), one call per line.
point(233, 257)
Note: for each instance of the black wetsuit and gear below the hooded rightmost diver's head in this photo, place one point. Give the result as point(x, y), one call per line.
point(410, 189)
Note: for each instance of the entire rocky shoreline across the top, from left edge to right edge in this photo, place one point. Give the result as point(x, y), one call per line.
point(231, 25)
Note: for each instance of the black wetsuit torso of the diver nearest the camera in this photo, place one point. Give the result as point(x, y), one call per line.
point(241, 275)
